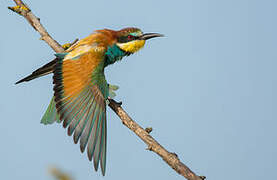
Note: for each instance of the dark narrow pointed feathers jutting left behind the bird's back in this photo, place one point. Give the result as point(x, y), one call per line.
point(44, 70)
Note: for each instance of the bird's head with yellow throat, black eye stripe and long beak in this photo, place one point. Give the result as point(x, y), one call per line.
point(132, 40)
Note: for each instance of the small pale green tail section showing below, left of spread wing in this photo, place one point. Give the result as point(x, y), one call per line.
point(51, 115)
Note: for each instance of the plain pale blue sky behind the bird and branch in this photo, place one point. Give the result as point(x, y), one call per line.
point(208, 89)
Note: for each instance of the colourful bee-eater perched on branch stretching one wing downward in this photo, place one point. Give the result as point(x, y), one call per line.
point(81, 91)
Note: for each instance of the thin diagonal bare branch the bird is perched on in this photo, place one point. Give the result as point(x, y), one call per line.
point(170, 158)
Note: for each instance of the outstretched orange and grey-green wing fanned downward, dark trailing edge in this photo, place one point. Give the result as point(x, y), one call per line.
point(80, 93)
